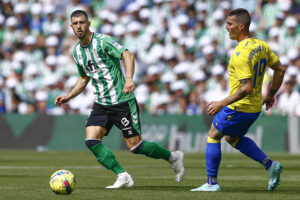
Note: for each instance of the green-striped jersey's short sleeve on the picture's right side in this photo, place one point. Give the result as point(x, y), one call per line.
point(112, 47)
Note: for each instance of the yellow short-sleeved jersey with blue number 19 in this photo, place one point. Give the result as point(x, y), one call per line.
point(249, 60)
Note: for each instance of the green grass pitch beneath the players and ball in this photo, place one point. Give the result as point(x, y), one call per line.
point(25, 175)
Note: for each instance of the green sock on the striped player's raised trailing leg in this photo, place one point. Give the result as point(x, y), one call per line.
point(153, 150)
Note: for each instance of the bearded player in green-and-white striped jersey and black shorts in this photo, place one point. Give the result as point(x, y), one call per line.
point(97, 57)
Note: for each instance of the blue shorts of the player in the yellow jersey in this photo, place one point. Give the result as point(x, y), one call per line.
point(233, 123)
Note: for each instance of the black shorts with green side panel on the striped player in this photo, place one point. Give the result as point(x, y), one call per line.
point(124, 115)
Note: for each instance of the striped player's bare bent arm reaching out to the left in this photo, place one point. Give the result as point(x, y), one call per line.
point(80, 85)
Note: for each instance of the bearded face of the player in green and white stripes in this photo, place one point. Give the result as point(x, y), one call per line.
point(80, 26)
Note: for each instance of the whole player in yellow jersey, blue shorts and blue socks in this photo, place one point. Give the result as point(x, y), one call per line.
point(237, 112)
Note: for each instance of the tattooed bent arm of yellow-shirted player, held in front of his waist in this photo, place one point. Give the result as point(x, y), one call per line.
point(246, 88)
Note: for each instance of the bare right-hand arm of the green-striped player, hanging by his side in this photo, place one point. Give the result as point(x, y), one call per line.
point(128, 59)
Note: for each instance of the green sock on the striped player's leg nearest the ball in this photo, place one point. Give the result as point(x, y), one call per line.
point(106, 158)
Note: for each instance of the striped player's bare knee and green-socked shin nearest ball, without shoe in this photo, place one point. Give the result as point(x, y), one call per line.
point(104, 155)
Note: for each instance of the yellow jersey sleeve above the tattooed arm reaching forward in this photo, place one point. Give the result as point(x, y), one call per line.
point(242, 65)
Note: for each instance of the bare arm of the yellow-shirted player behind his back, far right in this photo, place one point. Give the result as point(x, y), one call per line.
point(279, 72)
